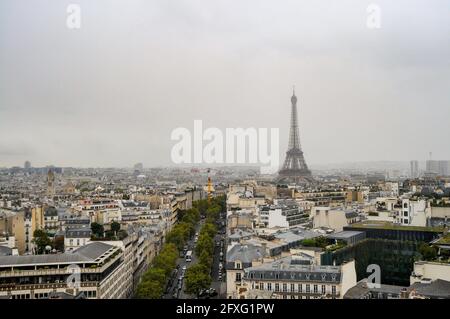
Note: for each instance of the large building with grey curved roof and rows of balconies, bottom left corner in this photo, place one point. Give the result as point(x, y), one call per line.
point(98, 270)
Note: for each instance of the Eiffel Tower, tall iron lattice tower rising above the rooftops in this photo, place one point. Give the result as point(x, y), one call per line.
point(294, 167)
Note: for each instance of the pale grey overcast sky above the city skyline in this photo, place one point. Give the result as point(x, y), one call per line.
point(111, 92)
